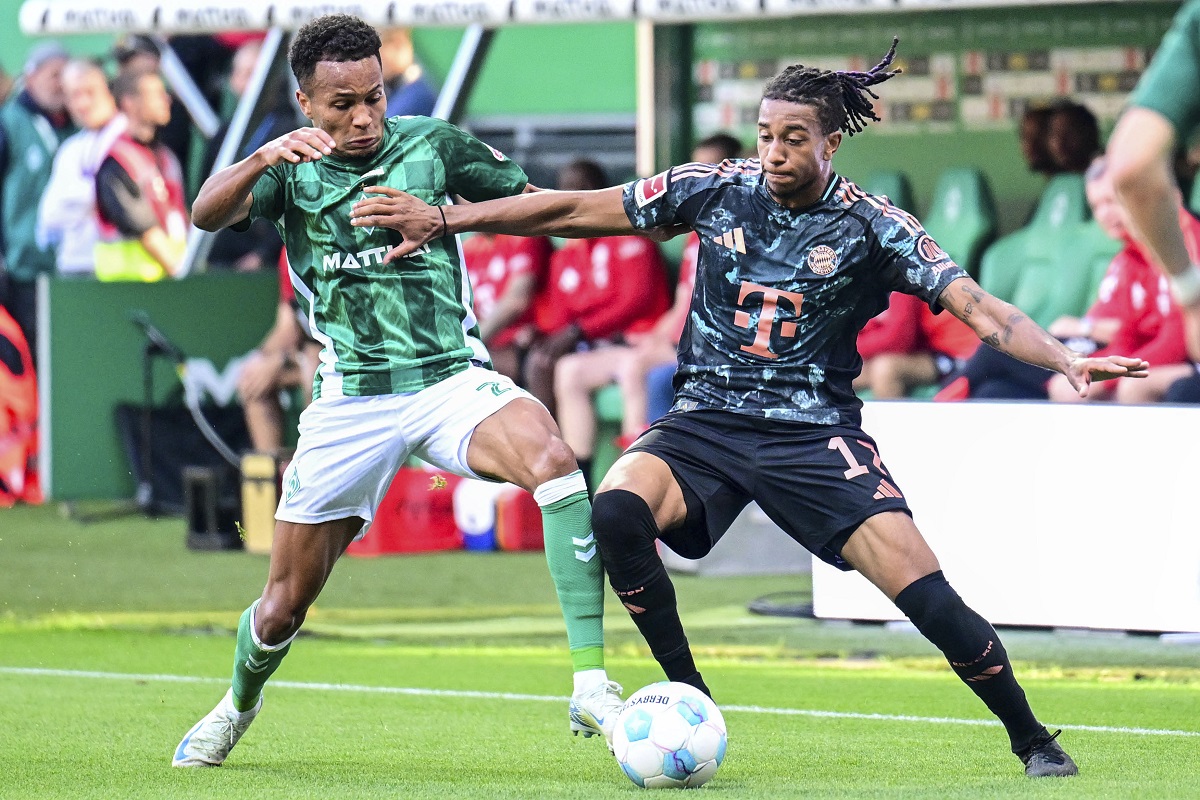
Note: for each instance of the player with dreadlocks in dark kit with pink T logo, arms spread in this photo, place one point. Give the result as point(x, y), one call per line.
point(794, 262)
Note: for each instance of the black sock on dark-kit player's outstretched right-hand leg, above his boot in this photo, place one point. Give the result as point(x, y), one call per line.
point(971, 645)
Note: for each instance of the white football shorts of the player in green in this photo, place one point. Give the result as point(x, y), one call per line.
point(351, 448)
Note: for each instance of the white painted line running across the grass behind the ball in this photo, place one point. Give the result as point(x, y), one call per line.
point(548, 699)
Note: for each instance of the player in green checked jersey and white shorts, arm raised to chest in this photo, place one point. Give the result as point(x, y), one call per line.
point(403, 368)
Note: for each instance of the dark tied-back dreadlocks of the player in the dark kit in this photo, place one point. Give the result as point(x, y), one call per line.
point(842, 99)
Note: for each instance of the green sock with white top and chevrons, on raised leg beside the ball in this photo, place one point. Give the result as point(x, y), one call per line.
point(574, 566)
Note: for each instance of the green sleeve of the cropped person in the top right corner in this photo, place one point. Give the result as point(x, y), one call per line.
point(1172, 83)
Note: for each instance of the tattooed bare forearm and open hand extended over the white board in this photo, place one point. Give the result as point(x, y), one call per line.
point(1007, 329)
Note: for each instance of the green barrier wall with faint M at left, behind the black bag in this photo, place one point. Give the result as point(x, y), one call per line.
point(97, 363)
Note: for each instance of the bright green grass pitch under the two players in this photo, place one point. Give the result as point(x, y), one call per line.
point(95, 621)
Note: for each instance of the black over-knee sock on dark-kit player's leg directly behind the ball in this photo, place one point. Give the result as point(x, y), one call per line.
point(626, 532)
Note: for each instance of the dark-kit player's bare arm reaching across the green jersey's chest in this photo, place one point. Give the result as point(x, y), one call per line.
point(575, 215)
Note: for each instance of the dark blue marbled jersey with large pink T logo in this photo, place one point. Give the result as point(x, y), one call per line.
point(781, 293)
